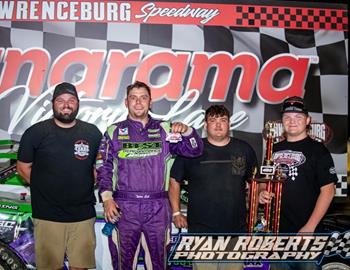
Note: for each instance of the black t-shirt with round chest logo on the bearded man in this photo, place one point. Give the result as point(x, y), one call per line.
point(62, 177)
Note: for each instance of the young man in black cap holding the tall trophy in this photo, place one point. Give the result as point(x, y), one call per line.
point(308, 171)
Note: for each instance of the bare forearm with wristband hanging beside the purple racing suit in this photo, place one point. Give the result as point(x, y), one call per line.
point(179, 220)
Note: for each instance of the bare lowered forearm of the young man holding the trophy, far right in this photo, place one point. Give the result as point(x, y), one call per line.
point(321, 207)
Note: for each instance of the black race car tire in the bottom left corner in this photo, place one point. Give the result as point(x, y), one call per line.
point(9, 260)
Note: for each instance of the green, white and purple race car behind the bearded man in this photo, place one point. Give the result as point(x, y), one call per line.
point(16, 226)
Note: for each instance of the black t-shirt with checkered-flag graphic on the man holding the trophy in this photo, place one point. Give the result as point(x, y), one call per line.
point(307, 166)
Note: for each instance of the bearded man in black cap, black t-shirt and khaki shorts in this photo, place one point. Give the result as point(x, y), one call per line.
point(56, 157)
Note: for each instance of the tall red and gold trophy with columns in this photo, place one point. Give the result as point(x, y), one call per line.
point(263, 220)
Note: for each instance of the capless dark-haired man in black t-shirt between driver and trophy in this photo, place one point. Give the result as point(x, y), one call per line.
point(216, 183)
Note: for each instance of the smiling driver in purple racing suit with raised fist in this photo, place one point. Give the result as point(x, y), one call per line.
point(132, 172)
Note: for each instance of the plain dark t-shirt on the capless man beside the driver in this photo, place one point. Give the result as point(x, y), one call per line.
point(216, 186)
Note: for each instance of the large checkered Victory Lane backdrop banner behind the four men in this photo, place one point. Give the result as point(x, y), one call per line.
point(248, 57)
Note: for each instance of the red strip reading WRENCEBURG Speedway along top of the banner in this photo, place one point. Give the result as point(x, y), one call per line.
point(176, 13)
